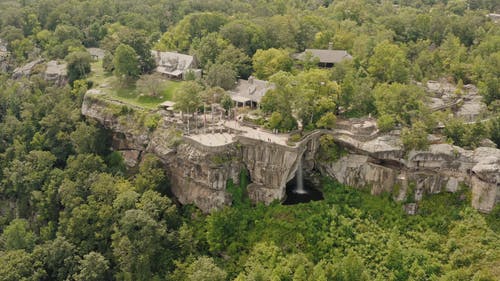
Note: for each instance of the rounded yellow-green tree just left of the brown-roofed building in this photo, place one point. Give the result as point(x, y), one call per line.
point(271, 61)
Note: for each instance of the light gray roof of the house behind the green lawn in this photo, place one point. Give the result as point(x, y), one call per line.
point(173, 63)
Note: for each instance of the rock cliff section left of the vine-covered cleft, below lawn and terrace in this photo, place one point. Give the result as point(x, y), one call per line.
point(198, 174)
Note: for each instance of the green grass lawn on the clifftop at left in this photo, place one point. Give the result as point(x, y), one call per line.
point(128, 92)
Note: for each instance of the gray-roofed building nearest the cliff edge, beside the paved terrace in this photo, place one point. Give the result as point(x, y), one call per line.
point(250, 92)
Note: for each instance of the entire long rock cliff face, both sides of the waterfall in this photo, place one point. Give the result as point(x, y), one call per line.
point(199, 173)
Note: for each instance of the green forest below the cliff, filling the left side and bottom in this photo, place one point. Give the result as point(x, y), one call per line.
point(70, 211)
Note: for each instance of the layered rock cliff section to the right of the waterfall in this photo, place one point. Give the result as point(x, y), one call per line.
point(442, 167)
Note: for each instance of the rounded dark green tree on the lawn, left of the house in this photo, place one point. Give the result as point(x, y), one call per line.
point(125, 62)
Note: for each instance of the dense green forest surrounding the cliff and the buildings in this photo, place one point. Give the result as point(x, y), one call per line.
point(69, 209)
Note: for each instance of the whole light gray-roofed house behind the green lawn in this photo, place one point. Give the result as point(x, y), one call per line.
point(175, 65)
